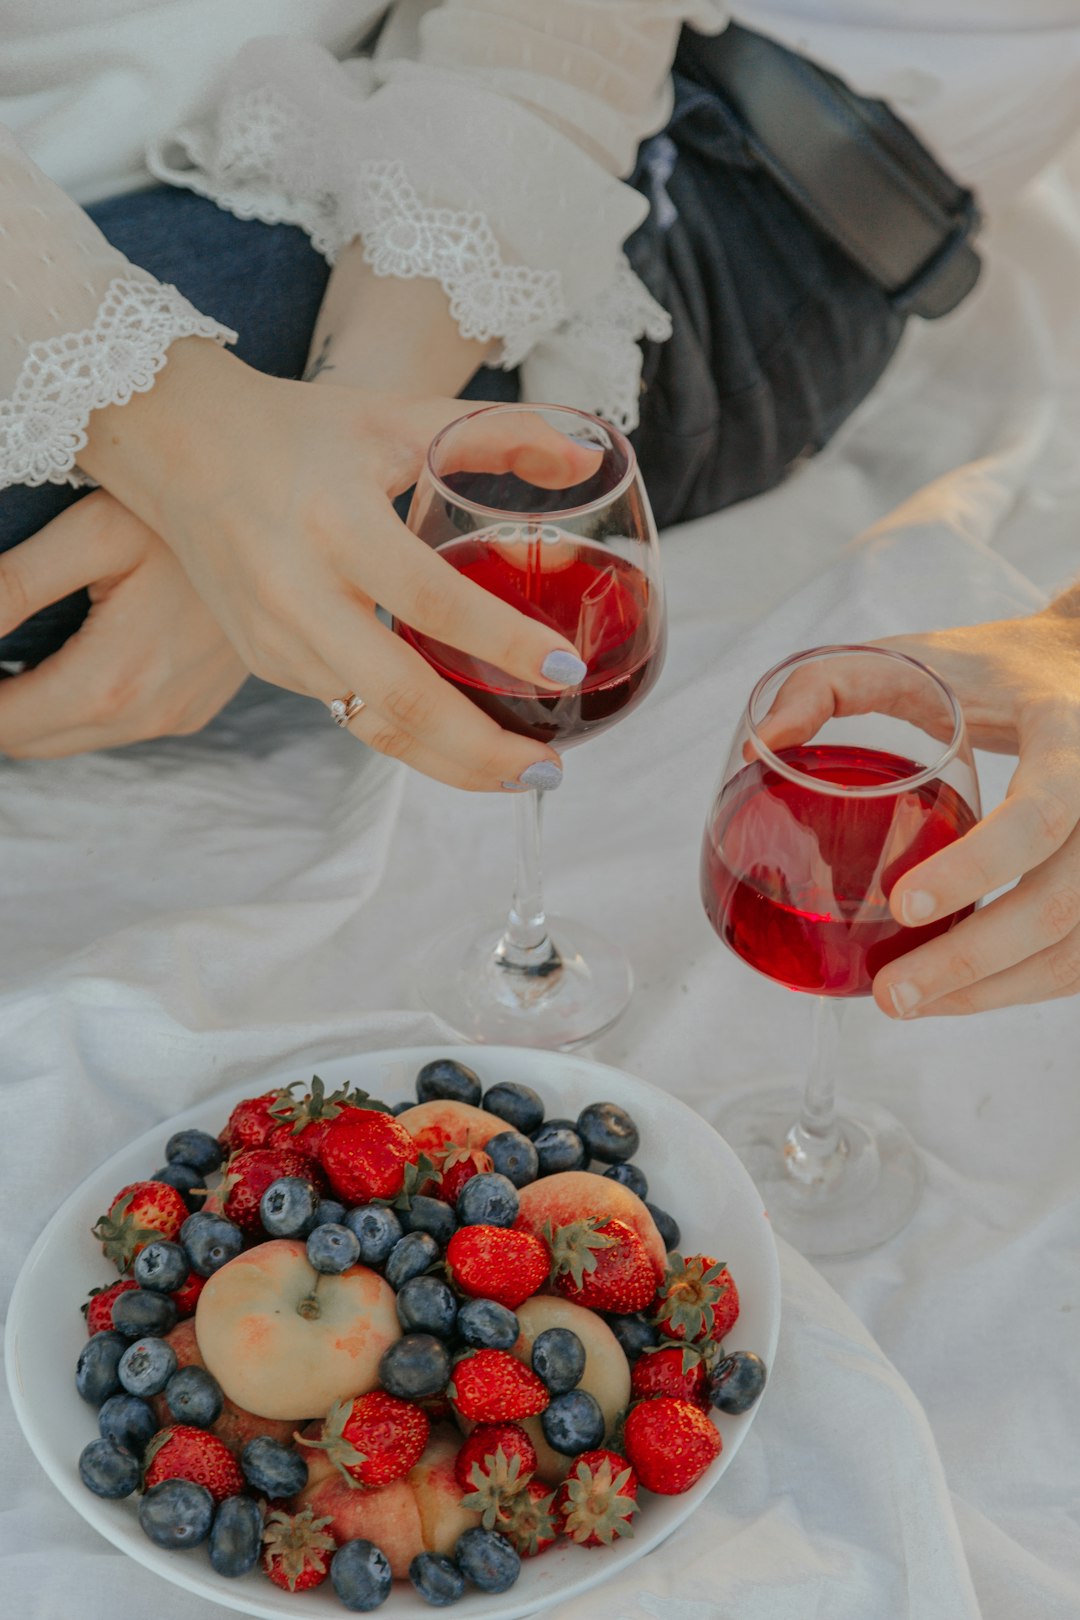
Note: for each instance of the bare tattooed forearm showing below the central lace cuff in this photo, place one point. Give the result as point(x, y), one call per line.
point(386, 335)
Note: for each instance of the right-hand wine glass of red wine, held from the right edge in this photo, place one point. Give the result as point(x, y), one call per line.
point(849, 767)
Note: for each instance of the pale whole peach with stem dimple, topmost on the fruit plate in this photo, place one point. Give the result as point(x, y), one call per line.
point(279, 1336)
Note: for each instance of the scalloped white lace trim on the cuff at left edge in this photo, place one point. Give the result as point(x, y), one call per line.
point(43, 427)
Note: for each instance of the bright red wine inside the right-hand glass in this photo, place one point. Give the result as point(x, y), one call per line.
point(797, 880)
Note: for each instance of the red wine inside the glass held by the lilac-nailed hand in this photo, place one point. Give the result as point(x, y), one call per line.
point(584, 590)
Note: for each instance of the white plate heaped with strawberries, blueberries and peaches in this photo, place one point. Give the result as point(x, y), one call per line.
point(436, 1328)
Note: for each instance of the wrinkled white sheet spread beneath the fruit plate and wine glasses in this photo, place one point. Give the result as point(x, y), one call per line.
point(185, 916)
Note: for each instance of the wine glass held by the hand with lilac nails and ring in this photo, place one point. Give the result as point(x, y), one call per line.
point(585, 561)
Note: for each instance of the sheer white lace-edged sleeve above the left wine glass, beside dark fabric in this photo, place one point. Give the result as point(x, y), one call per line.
point(490, 161)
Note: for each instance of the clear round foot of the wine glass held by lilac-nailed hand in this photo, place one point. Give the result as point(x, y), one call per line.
point(564, 1005)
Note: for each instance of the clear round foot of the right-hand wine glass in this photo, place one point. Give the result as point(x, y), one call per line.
point(867, 1195)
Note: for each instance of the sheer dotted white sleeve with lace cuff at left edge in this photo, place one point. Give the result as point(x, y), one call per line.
point(80, 326)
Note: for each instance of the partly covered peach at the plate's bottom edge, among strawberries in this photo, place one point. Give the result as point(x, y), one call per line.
point(419, 1514)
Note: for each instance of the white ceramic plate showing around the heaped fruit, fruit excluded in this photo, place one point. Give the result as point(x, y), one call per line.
point(692, 1172)
